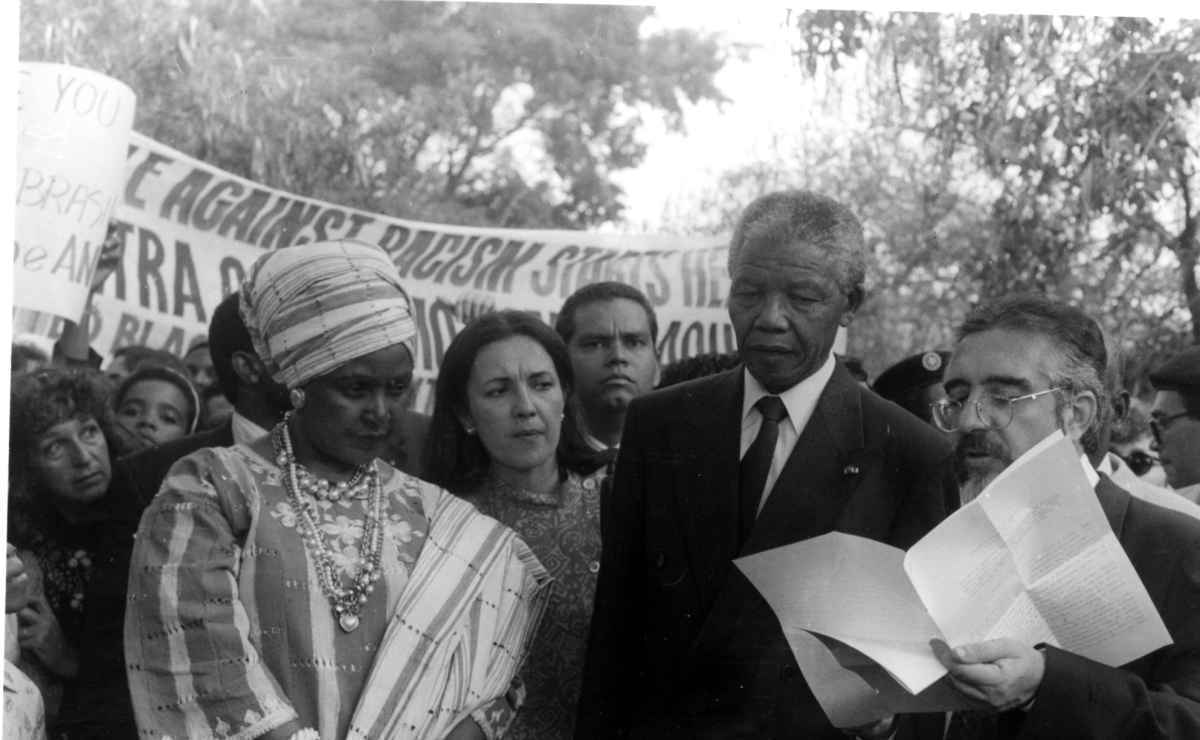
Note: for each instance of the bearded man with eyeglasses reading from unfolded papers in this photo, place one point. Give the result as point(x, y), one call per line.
point(1023, 369)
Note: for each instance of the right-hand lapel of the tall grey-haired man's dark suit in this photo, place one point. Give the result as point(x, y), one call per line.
point(811, 492)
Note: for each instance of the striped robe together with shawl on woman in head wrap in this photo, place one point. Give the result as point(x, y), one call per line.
point(229, 635)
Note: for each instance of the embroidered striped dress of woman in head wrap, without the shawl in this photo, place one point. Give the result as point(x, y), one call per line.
point(225, 598)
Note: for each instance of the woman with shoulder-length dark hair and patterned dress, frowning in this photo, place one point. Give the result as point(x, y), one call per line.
point(495, 441)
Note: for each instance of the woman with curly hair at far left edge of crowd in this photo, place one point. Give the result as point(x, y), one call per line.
point(61, 514)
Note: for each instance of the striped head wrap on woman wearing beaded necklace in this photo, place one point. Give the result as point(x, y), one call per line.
point(313, 309)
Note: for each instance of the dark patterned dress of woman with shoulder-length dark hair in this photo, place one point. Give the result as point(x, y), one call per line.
point(563, 530)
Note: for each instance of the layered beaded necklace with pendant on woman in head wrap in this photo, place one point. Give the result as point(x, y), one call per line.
point(347, 601)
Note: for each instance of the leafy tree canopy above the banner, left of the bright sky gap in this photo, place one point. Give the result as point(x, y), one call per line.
point(508, 116)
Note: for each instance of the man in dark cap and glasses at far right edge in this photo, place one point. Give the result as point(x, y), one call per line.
point(1175, 422)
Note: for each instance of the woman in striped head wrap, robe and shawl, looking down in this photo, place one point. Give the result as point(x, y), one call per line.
point(302, 588)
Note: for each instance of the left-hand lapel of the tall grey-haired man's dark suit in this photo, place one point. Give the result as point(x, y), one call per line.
point(707, 497)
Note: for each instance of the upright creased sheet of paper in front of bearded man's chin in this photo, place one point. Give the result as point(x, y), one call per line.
point(1034, 558)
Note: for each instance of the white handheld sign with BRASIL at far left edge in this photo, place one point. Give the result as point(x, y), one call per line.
point(74, 134)
